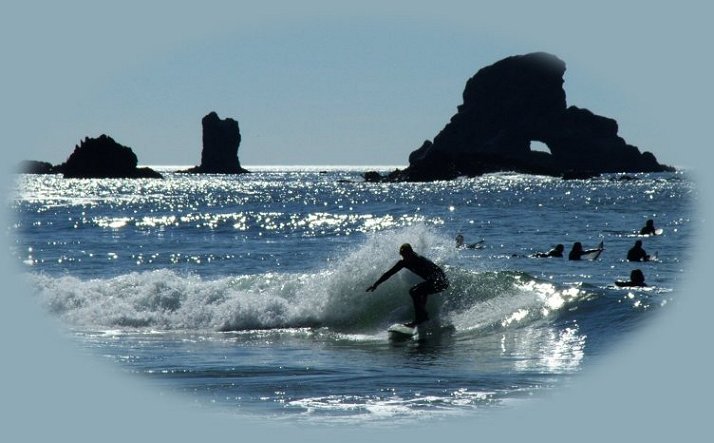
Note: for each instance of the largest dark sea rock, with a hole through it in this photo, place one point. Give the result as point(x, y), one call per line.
point(506, 106)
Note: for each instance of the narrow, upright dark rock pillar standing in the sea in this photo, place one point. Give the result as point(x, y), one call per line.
point(221, 139)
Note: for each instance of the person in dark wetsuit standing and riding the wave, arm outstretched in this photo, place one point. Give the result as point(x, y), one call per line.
point(434, 280)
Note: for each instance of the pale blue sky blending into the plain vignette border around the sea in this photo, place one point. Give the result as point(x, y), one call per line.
point(364, 83)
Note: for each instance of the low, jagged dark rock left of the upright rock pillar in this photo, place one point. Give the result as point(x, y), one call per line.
point(102, 157)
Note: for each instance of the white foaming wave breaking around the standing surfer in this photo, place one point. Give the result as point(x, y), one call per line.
point(333, 297)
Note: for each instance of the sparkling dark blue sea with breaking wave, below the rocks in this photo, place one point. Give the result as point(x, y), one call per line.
point(246, 293)
